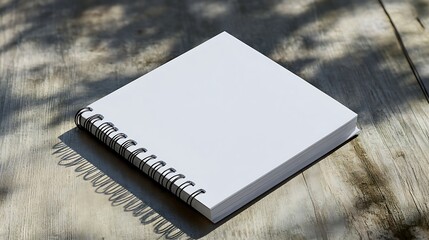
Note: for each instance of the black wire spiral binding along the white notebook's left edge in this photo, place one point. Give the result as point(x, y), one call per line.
point(107, 133)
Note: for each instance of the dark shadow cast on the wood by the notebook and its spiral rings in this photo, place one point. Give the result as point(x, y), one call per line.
point(126, 186)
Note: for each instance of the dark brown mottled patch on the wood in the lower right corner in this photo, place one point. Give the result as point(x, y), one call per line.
point(377, 205)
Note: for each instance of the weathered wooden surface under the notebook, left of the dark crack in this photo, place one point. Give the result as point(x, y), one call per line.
point(57, 56)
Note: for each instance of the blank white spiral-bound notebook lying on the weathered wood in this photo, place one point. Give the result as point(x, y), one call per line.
point(219, 125)
